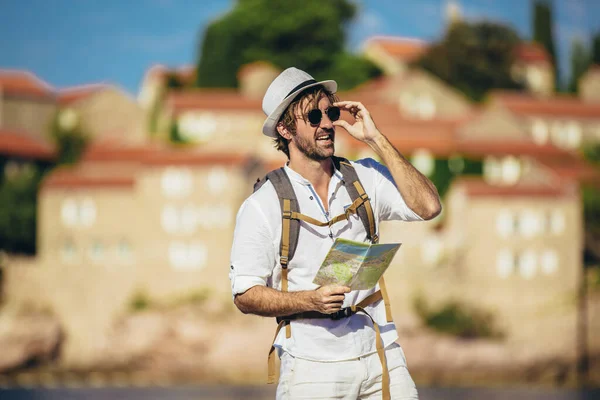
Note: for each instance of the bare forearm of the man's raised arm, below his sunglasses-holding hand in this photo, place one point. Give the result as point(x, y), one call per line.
point(419, 193)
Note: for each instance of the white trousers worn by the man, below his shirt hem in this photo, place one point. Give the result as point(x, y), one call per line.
point(359, 378)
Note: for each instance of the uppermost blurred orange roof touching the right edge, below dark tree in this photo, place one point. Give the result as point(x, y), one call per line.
point(559, 106)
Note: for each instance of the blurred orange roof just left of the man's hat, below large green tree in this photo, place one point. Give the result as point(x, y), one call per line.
point(213, 99)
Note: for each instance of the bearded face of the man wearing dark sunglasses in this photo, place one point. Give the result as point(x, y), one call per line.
point(316, 142)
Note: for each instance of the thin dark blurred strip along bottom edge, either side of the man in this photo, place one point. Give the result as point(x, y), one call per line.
point(268, 392)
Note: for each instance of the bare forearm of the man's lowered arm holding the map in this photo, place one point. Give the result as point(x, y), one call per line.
point(268, 302)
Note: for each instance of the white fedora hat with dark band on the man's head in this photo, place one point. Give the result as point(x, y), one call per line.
point(281, 93)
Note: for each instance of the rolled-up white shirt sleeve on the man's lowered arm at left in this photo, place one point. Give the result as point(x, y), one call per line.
point(252, 255)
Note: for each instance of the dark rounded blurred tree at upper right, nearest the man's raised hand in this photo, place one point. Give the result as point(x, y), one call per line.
point(474, 58)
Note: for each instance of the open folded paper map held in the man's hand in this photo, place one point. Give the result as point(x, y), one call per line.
point(355, 264)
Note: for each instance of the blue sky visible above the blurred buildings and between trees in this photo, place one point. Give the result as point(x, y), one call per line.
point(73, 42)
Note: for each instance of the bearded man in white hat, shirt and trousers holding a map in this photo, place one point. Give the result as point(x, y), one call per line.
point(322, 357)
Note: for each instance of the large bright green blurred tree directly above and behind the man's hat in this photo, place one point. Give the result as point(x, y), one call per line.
point(308, 34)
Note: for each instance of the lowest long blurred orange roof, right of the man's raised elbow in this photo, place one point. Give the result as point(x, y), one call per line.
point(477, 187)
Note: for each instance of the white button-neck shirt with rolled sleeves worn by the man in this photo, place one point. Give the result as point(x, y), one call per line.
point(255, 258)
